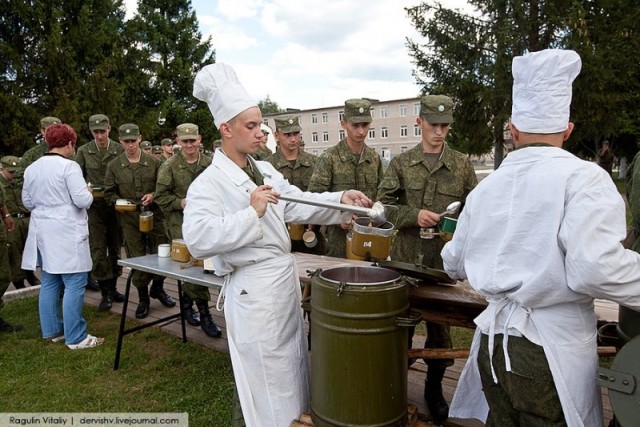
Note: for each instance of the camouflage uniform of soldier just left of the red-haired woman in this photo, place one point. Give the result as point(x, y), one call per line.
point(17, 238)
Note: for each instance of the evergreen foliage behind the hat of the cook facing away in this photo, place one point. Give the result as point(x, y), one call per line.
point(467, 55)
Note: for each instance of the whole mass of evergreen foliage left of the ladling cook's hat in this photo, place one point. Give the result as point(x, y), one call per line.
point(74, 58)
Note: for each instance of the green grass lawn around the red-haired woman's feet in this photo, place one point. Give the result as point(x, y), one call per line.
point(158, 373)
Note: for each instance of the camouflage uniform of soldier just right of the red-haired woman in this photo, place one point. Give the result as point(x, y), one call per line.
point(104, 235)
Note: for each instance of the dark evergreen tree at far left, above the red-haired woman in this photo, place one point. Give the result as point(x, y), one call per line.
point(50, 55)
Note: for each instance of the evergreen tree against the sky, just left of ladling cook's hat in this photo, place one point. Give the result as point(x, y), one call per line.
point(166, 52)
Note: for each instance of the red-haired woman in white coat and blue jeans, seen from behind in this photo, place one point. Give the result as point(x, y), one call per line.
point(58, 241)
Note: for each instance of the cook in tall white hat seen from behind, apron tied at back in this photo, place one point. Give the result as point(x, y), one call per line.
point(540, 238)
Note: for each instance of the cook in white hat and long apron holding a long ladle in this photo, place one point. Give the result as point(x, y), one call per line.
point(233, 215)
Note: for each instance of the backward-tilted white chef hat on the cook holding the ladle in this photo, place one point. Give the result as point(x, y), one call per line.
point(218, 86)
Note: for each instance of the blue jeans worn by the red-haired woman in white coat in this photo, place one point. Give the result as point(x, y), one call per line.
point(70, 321)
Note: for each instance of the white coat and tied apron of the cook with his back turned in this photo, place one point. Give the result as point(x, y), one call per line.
point(540, 239)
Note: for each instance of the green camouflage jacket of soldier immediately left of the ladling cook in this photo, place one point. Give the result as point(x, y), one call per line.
point(174, 177)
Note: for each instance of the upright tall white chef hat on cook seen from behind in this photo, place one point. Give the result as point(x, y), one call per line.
point(542, 90)
